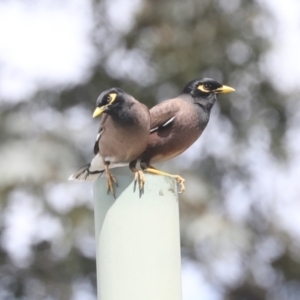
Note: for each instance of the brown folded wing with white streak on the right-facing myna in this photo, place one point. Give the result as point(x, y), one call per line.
point(163, 114)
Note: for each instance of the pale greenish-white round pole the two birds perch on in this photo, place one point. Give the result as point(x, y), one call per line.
point(137, 239)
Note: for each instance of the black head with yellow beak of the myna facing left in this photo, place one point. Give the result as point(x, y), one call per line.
point(109, 99)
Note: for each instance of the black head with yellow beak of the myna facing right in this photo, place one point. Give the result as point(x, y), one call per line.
point(205, 87)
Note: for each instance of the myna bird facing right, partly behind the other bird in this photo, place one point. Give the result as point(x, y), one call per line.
point(177, 123)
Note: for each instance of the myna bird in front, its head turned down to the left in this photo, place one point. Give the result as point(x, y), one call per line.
point(122, 137)
